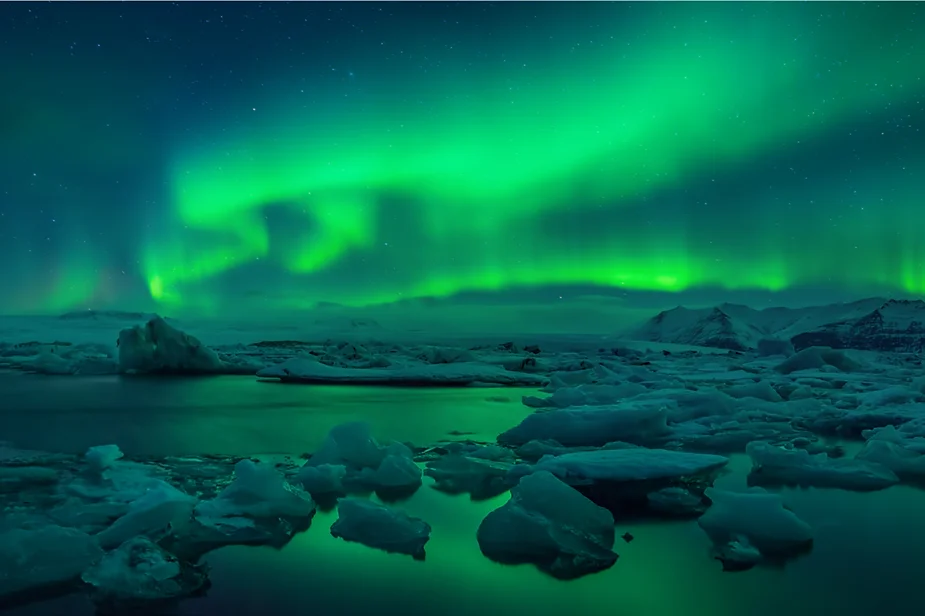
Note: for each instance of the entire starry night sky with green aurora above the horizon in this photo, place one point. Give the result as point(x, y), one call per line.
point(208, 156)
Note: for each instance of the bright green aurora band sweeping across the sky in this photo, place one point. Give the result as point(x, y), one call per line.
point(509, 171)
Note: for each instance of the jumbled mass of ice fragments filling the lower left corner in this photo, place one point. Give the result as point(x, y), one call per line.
point(124, 528)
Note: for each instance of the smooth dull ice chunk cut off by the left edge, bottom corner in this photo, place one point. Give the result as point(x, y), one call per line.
point(32, 559)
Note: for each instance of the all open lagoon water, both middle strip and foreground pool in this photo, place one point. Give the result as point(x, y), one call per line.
point(869, 553)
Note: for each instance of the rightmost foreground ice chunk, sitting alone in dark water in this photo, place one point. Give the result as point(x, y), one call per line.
point(757, 516)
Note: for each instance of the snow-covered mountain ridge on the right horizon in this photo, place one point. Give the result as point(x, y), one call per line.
point(870, 324)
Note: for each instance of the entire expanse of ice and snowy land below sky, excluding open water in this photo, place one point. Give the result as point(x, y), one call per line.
point(623, 429)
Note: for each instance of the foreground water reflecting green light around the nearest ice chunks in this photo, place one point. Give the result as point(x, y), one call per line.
point(868, 546)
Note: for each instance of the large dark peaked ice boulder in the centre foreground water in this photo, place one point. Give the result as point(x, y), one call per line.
point(551, 525)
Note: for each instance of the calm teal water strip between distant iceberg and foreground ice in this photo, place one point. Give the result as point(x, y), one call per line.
point(236, 415)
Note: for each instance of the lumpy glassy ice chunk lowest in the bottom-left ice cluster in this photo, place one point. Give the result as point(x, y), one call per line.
point(139, 570)
